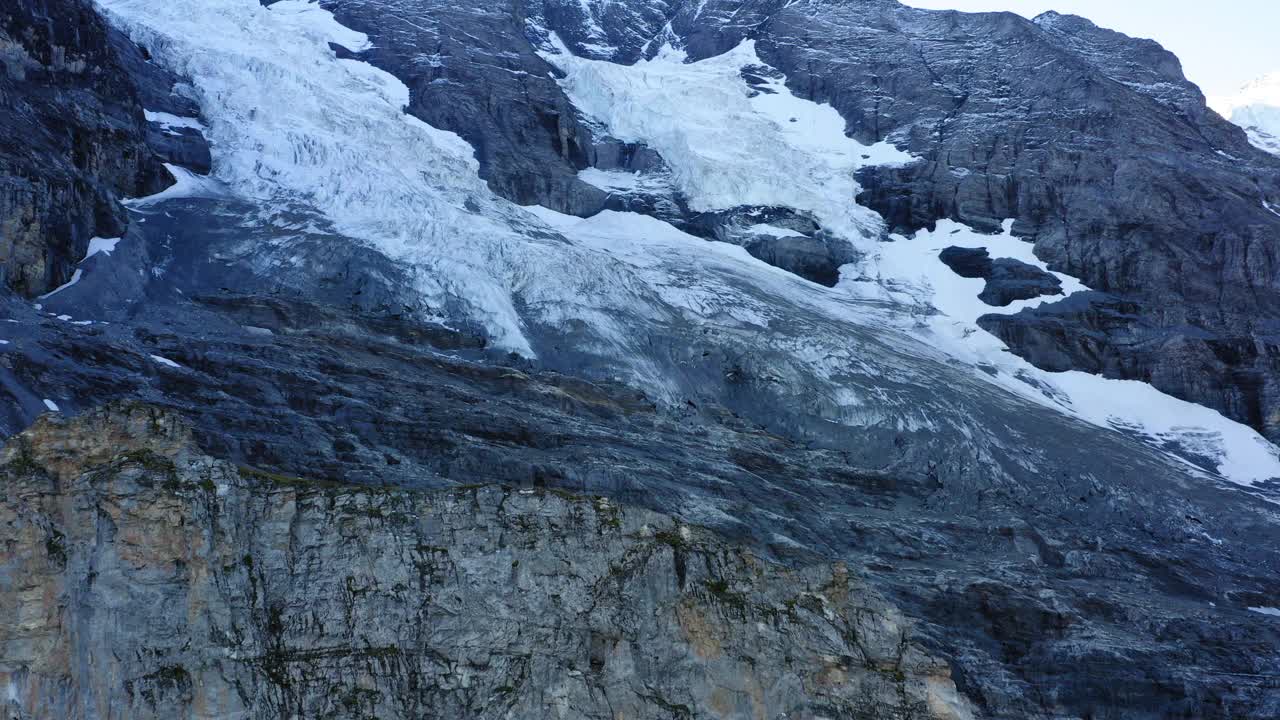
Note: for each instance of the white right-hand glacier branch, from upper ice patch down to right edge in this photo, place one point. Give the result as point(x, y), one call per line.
point(732, 145)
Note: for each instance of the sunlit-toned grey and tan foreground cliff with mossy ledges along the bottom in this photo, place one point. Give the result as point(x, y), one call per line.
point(145, 580)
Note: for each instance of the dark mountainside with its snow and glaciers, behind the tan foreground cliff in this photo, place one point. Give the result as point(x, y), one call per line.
point(985, 306)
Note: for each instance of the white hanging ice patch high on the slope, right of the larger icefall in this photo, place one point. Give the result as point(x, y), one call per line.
point(730, 144)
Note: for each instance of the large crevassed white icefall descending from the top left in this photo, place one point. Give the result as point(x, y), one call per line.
point(291, 122)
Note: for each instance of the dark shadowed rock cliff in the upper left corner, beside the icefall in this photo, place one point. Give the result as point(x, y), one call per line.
point(72, 140)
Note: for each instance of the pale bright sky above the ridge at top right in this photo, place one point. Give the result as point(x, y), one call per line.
point(1223, 44)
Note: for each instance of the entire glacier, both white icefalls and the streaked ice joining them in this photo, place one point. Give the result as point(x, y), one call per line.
point(290, 120)
